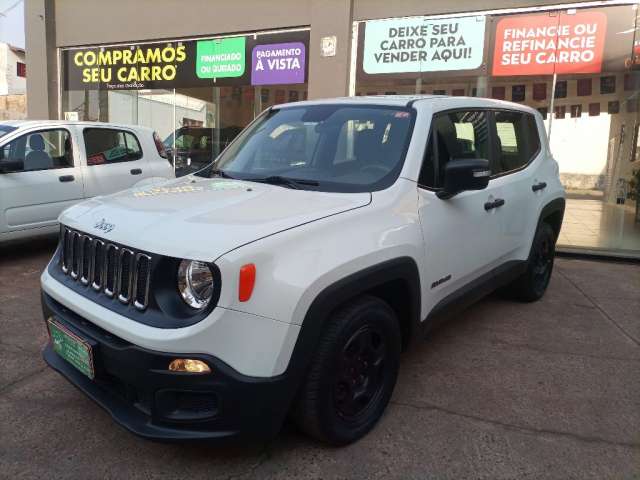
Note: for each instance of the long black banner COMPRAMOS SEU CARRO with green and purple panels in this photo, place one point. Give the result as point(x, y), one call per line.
point(277, 58)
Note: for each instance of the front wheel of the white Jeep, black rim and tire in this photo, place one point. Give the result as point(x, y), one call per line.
point(352, 374)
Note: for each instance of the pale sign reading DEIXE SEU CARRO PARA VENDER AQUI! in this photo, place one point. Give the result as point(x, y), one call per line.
point(423, 45)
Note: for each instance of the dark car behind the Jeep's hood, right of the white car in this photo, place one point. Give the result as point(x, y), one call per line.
point(196, 147)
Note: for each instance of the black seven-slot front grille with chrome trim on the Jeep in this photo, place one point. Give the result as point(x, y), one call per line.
point(118, 272)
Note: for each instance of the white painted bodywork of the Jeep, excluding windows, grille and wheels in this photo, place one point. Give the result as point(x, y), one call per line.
point(306, 244)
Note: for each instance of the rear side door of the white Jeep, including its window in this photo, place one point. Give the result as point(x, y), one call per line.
point(518, 158)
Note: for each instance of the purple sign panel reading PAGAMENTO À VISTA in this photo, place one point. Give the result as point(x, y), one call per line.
point(279, 63)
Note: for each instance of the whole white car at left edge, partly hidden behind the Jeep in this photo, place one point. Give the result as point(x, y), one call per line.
point(47, 166)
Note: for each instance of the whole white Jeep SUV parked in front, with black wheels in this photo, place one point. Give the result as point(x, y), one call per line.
point(287, 277)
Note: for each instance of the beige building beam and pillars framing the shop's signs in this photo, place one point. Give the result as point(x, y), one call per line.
point(51, 24)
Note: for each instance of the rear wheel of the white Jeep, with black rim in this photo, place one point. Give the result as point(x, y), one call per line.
point(533, 283)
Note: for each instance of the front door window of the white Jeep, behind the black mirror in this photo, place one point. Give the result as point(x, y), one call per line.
point(454, 136)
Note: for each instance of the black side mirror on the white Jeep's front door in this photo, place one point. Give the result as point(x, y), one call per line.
point(463, 175)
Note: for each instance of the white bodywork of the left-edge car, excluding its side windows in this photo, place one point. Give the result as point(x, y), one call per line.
point(32, 200)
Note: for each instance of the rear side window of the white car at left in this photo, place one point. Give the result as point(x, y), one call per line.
point(105, 146)
